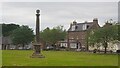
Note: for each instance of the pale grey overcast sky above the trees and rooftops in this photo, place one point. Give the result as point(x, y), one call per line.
point(58, 13)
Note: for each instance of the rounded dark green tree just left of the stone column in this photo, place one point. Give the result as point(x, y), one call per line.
point(23, 35)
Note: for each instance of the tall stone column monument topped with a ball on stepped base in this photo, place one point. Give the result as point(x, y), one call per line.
point(37, 45)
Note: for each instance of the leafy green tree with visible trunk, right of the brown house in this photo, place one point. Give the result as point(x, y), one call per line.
point(104, 35)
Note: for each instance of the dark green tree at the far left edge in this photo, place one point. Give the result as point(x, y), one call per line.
point(8, 28)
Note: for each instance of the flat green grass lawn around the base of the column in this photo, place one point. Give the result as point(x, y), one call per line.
point(57, 58)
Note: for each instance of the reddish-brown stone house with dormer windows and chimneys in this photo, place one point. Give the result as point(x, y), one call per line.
point(77, 34)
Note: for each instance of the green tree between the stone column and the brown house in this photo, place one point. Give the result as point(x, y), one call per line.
point(52, 36)
